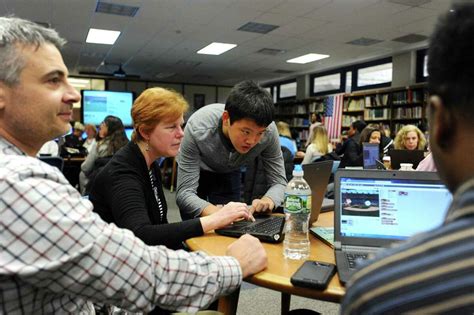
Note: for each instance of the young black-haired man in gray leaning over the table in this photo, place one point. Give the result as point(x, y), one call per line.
point(218, 140)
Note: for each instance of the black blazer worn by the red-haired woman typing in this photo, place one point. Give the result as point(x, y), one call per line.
point(122, 194)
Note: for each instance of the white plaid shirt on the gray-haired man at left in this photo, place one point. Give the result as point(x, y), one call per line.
point(57, 256)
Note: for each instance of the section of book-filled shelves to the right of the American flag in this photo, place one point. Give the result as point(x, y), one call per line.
point(391, 107)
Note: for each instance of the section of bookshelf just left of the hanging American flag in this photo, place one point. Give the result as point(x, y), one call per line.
point(297, 113)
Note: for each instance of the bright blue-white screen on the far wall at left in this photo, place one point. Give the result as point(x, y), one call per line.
point(96, 105)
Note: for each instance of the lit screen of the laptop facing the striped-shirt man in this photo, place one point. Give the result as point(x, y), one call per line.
point(390, 208)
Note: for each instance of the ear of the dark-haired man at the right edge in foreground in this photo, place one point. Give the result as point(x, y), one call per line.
point(443, 123)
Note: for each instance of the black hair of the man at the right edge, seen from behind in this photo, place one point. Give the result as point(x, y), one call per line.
point(451, 60)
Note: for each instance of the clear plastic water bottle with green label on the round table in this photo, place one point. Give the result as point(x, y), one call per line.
point(297, 208)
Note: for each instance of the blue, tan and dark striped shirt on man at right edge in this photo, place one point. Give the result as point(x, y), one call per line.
point(431, 273)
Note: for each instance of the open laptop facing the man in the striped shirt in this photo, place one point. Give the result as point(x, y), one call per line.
point(374, 209)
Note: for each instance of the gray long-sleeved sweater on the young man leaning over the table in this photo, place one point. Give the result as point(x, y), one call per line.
point(205, 147)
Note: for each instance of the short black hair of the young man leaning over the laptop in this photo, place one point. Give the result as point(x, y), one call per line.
point(248, 100)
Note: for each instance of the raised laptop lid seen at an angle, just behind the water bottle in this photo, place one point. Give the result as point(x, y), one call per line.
point(317, 176)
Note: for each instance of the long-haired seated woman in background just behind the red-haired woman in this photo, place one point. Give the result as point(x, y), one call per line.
point(113, 137)
